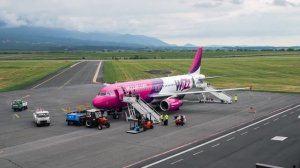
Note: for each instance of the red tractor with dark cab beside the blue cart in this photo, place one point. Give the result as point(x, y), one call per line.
point(96, 118)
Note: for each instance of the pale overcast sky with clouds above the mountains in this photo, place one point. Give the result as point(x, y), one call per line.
point(200, 22)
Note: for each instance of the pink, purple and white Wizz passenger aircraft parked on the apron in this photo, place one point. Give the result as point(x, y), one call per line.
point(167, 91)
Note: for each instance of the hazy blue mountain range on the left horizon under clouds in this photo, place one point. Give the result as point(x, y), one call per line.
point(39, 38)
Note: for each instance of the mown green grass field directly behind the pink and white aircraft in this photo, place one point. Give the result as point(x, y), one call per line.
point(278, 74)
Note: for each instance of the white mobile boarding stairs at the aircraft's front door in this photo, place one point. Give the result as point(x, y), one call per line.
point(142, 107)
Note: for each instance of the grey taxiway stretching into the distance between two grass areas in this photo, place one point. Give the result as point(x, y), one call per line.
point(79, 73)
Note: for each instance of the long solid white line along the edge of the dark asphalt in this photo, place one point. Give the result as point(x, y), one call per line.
point(223, 136)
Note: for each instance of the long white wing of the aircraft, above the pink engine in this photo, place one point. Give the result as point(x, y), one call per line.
point(173, 95)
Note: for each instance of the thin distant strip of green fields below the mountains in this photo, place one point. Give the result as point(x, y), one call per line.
point(151, 54)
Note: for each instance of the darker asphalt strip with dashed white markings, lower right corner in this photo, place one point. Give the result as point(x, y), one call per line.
point(273, 141)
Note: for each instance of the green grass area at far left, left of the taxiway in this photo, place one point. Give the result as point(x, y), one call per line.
point(19, 74)
